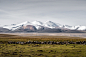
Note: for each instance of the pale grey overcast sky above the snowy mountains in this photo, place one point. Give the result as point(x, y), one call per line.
point(67, 12)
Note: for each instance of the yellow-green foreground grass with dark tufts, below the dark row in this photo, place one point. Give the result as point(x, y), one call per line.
point(42, 50)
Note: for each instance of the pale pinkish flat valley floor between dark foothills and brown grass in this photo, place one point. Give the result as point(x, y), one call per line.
point(82, 35)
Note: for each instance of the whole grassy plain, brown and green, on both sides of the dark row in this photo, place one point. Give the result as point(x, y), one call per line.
point(41, 50)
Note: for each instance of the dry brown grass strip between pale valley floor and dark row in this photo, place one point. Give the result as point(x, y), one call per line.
point(6, 37)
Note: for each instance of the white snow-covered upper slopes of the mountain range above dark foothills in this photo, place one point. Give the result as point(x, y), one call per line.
point(47, 24)
